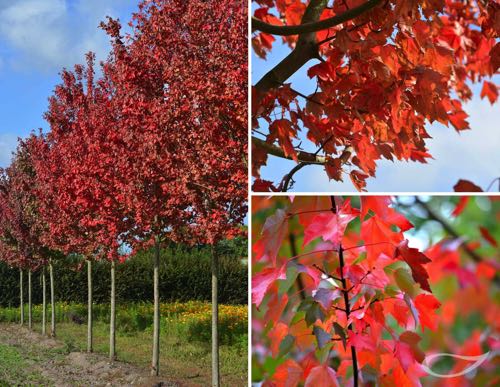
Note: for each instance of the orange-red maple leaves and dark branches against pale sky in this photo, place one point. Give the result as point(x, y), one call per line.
point(382, 72)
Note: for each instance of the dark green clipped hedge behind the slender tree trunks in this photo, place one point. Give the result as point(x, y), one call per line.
point(185, 274)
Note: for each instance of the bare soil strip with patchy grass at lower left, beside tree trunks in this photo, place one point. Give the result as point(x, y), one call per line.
point(28, 358)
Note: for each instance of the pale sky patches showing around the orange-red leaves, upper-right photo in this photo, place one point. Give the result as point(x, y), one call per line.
point(472, 154)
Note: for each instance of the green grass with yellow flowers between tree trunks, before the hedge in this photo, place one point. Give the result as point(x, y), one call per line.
point(185, 339)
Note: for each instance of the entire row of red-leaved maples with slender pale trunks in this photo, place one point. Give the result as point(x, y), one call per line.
point(145, 147)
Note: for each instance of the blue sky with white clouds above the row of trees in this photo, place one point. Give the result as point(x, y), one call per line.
point(37, 39)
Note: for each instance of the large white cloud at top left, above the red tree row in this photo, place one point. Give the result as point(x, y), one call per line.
point(51, 34)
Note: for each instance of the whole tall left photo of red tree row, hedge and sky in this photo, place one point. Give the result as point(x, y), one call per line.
point(123, 193)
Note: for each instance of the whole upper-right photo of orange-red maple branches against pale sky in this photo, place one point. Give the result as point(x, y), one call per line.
point(366, 95)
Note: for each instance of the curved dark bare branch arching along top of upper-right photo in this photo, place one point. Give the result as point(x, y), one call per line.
point(315, 26)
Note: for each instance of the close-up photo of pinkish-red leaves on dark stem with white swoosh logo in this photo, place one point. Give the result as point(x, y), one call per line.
point(366, 291)
